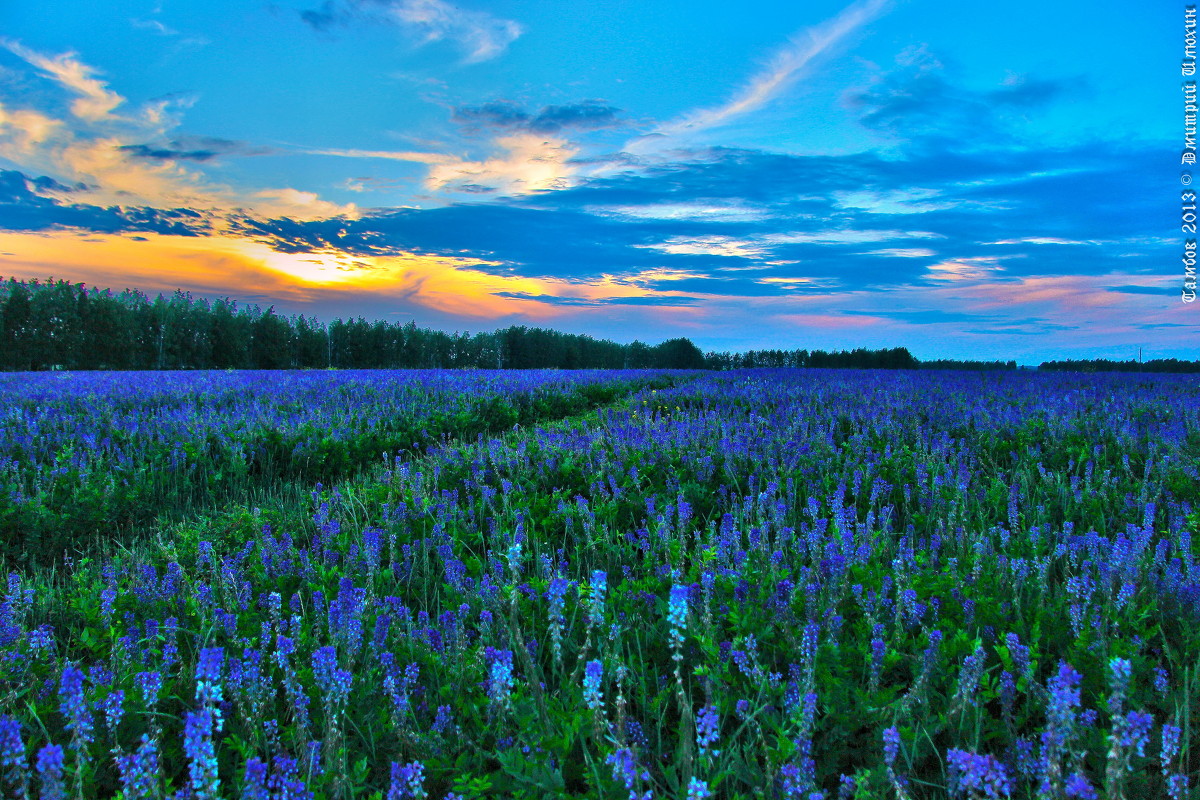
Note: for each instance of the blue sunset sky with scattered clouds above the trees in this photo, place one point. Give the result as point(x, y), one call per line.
point(820, 175)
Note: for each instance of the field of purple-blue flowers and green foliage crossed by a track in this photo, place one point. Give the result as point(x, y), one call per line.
point(599, 585)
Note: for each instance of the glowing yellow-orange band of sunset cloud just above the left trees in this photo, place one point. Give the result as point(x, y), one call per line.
point(229, 266)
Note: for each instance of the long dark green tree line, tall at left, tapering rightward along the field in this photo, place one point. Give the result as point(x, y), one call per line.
point(62, 326)
